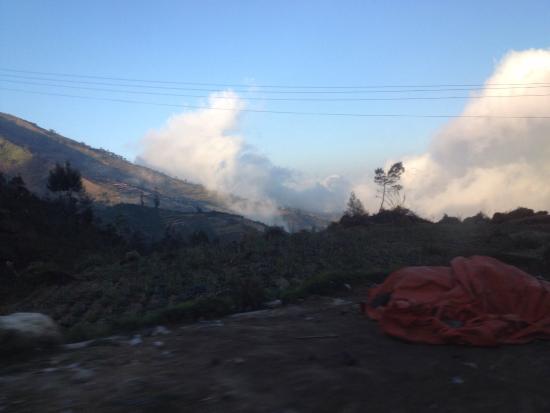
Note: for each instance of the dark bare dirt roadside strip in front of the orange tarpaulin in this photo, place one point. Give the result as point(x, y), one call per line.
point(318, 356)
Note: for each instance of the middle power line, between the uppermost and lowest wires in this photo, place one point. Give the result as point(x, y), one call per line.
point(299, 99)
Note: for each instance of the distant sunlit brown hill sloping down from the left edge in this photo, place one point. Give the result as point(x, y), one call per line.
point(31, 151)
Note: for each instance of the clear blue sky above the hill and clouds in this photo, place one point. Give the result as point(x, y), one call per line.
point(260, 42)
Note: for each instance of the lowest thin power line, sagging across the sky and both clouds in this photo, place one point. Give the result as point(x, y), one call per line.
point(369, 115)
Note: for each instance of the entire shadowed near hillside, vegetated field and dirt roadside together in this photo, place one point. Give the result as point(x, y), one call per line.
point(143, 352)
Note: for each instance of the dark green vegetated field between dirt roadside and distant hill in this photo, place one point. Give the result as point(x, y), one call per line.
point(94, 279)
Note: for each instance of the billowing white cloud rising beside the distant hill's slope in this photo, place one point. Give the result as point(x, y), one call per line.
point(205, 146)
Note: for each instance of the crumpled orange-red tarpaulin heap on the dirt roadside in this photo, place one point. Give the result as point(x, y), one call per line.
point(476, 301)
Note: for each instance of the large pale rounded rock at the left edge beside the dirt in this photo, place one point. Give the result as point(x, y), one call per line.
point(25, 331)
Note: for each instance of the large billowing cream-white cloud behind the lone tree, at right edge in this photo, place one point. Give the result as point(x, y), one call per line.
point(489, 164)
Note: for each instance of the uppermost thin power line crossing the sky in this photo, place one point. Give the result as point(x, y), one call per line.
point(353, 89)
